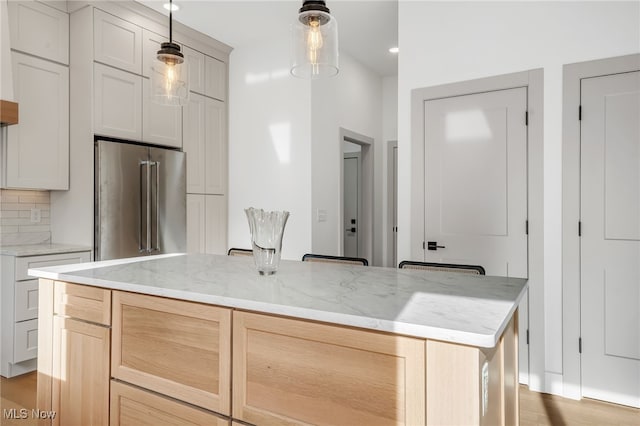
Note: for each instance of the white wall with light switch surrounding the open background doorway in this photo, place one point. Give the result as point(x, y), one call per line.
point(351, 100)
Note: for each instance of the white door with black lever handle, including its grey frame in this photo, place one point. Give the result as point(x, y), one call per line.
point(477, 119)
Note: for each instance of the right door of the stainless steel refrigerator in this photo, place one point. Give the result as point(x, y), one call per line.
point(168, 201)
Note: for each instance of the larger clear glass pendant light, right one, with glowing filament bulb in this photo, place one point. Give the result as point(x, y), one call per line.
point(315, 41)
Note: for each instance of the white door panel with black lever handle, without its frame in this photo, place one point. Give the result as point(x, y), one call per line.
point(476, 187)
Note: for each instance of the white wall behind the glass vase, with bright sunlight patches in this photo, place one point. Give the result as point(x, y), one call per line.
point(269, 144)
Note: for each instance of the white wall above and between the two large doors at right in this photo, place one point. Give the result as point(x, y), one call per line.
point(444, 42)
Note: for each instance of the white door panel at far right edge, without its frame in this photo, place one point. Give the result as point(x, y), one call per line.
point(610, 241)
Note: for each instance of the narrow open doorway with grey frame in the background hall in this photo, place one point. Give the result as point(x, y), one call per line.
point(356, 155)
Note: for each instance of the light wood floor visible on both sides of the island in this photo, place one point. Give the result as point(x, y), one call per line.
point(536, 409)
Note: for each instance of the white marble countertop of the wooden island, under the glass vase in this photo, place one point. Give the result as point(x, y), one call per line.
point(458, 308)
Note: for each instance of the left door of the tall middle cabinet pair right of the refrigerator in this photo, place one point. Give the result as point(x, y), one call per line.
point(194, 143)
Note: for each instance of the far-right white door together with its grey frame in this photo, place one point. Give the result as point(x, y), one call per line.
point(601, 230)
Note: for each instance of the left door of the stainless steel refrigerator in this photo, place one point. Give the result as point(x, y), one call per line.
point(120, 200)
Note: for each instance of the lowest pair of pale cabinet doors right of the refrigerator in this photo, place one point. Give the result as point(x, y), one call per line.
point(207, 224)
